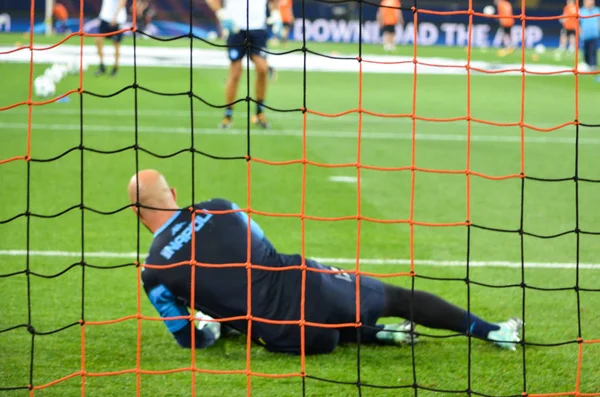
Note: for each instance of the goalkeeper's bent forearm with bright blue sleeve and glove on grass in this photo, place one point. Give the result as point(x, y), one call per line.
point(168, 306)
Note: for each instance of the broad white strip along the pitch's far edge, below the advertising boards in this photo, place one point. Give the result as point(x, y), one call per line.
point(217, 58)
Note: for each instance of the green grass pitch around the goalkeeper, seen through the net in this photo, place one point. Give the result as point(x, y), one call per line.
point(549, 208)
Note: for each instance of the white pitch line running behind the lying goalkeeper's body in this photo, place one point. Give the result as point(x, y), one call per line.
point(337, 261)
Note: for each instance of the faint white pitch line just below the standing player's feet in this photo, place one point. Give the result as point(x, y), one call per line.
point(386, 135)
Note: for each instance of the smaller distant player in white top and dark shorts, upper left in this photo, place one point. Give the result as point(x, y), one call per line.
point(112, 14)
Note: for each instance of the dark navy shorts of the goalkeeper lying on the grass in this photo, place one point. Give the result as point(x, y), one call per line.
point(331, 299)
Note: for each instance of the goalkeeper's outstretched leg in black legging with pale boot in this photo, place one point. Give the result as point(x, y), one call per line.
point(431, 311)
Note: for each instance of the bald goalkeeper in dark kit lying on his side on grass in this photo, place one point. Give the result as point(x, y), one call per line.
point(221, 292)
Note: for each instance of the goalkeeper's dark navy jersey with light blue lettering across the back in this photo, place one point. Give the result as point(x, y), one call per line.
point(222, 292)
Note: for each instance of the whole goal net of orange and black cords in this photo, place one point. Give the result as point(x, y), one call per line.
point(414, 170)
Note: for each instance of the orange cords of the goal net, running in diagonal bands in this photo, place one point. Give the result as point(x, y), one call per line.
point(413, 168)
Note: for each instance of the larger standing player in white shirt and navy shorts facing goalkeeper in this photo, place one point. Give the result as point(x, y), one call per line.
point(243, 20)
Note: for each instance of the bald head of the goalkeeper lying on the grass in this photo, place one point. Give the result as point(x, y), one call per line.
point(154, 191)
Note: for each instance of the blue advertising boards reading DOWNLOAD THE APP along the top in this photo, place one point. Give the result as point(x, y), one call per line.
point(325, 22)
